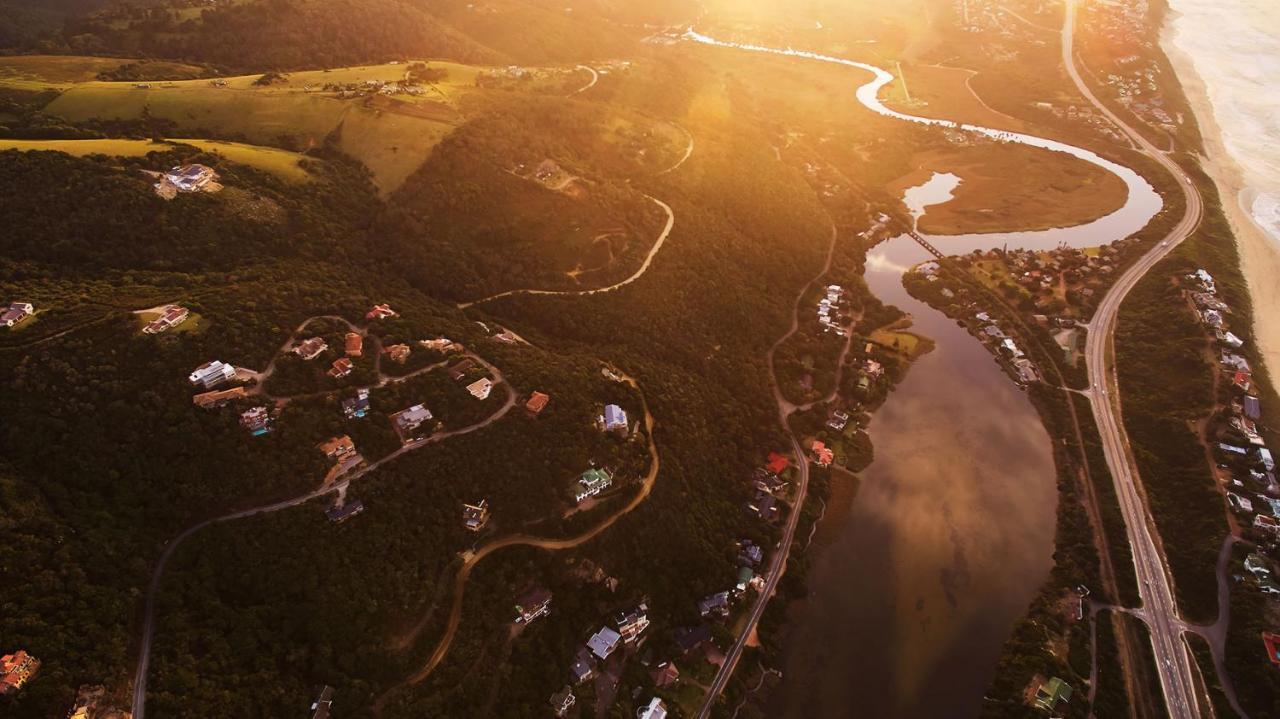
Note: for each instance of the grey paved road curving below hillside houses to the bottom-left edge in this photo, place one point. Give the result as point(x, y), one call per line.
point(140, 679)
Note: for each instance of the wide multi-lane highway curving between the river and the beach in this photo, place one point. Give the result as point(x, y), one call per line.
point(1155, 588)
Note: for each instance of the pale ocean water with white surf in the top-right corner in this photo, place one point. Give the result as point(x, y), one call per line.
point(1236, 49)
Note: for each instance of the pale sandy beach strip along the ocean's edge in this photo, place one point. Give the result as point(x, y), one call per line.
point(1260, 254)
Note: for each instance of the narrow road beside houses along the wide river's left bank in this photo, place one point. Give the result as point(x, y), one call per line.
point(779, 560)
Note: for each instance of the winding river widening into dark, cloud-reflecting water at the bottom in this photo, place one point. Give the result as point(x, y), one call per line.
point(952, 532)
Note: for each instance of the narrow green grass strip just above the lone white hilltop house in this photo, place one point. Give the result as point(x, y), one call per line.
point(281, 163)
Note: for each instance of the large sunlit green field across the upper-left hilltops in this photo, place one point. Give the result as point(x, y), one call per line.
point(392, 136)
